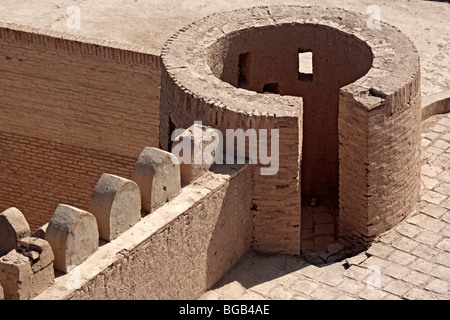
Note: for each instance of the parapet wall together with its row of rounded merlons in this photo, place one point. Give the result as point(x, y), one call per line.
point(209, 222)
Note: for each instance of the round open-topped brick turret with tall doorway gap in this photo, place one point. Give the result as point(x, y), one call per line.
point(353, 140)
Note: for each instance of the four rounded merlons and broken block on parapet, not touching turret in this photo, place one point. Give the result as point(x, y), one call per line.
point(27, 263)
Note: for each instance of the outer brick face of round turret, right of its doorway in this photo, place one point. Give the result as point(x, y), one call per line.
point(380, 143)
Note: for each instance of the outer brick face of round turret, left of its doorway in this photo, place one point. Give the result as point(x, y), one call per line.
point(275, 205)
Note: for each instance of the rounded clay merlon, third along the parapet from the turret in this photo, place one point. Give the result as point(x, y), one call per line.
point(116, 204)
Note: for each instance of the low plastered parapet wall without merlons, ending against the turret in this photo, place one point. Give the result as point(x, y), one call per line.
point(177, 252)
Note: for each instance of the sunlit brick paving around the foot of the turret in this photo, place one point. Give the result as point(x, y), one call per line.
point(411, 261)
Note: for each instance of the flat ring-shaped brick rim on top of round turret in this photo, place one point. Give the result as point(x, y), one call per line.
point(185, 56)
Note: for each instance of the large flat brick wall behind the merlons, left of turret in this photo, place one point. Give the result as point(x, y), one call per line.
point(70, 110)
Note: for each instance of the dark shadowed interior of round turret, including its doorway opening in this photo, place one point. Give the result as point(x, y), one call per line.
point(313, 62)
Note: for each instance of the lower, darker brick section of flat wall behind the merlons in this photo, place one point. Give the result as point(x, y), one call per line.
point(38, 174)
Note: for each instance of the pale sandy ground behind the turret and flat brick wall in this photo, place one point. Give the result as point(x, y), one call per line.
point(148, 23)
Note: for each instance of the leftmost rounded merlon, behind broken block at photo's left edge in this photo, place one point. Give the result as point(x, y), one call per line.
point(13, 227)
